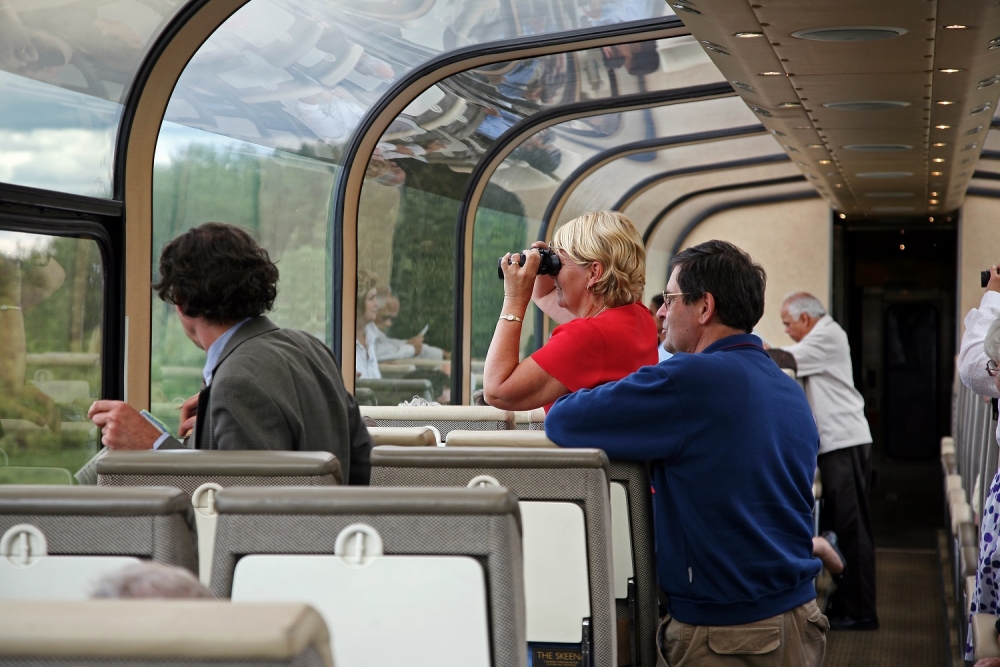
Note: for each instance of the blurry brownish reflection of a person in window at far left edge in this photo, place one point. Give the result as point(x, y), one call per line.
point(24, 283)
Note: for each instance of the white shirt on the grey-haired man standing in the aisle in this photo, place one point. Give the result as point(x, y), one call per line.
point(824, 360)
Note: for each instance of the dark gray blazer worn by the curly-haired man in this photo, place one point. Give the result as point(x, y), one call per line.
point(279, 388)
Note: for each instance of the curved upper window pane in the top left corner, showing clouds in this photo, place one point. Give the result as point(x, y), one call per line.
point(65, 69)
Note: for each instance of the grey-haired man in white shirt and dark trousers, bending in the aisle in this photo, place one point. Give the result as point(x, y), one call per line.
point(823, 356)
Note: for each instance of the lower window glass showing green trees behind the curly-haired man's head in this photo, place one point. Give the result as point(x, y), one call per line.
point(281, 198)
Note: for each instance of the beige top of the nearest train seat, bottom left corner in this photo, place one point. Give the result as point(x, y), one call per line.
point(202, 633)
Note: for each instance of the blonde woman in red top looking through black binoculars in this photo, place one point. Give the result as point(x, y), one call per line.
point(605, 332)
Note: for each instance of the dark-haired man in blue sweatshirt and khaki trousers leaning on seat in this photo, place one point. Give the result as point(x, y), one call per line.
point(732, 445)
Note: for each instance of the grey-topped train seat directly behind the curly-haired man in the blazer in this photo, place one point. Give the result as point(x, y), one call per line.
point(201, 473)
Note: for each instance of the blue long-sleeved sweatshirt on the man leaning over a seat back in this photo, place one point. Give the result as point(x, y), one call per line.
point(732, 445)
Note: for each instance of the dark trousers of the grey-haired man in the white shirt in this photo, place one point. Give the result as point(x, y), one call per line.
point(846, 475)
